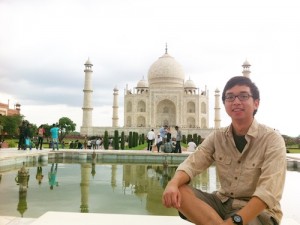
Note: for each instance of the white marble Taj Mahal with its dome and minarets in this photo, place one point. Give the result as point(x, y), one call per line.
point(166, 97)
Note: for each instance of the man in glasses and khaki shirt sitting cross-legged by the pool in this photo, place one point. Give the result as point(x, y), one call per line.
point(251, 162)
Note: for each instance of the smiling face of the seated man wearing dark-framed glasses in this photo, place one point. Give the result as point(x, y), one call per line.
point(239, 103)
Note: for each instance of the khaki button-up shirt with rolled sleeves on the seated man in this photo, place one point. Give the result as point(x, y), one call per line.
point(258, 171)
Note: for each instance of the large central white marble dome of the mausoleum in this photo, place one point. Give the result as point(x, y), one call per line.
point(166, 72)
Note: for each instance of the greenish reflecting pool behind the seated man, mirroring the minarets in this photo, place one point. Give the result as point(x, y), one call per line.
point(107, 188)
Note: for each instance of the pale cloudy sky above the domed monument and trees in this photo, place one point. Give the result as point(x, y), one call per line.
point(45, 43)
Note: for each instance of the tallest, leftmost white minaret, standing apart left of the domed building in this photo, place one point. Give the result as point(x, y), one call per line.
point(87, 99)
